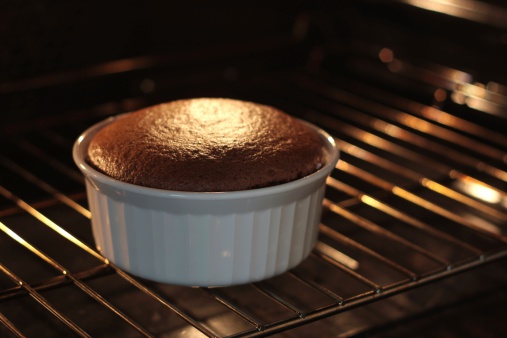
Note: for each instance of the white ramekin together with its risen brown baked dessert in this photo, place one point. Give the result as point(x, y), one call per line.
point(198, 238)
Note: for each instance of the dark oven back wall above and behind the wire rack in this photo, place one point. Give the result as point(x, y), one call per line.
point(55, 53)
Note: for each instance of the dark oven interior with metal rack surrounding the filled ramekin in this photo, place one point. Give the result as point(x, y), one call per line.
point(413, 239)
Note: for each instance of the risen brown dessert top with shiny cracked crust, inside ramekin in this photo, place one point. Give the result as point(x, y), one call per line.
point(207, 145)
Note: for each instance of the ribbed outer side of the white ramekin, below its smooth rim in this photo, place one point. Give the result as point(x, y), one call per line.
point(202, 249)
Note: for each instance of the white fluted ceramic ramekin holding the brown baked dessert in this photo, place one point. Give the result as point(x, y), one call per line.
point(204, 239)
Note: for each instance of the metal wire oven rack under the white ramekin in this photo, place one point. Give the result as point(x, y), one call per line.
point(395, 218)
